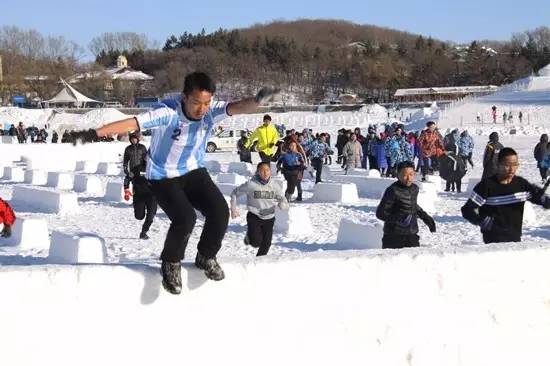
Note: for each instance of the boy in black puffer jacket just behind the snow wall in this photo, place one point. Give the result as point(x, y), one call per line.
point(399, 211)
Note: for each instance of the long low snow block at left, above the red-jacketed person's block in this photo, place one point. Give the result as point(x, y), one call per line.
point(47, 201)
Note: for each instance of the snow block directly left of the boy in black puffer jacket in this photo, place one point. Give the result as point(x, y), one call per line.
point(353, 235)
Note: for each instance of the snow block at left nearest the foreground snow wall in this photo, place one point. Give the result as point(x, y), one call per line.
point(79, 248)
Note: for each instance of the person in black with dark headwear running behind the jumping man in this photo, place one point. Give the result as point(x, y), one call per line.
point(144, 202)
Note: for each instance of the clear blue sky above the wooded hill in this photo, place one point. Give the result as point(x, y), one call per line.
point(457, 20)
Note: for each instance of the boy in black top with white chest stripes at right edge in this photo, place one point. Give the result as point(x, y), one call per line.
point(497, 202)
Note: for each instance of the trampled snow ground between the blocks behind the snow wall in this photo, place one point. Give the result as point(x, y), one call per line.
point(115, 222)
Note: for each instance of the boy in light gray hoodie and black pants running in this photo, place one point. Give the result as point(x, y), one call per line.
point(261, 193)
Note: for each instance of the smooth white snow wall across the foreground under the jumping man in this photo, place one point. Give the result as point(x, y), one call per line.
point(477, 305)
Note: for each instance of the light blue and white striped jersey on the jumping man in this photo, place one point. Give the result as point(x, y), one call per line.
point(178, 144)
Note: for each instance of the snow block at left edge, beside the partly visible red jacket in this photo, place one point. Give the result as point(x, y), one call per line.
point(28, 234)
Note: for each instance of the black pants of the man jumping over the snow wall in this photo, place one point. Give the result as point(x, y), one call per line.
point(179, 197)
